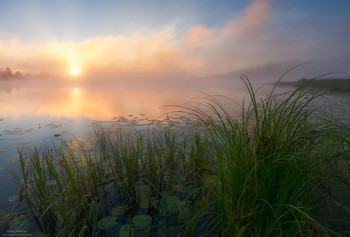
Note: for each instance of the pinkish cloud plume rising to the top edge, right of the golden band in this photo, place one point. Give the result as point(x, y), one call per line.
point(229, 47)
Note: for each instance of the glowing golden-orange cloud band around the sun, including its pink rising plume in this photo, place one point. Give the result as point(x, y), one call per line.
point(201, 51)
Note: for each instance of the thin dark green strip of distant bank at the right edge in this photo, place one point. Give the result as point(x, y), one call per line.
point(328, 84)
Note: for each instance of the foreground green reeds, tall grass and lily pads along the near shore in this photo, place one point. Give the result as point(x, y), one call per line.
point(278, 170)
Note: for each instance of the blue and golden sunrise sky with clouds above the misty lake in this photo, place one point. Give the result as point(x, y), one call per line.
point(112, 39)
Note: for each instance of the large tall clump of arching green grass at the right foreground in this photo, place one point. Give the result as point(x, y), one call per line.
point(272, 167)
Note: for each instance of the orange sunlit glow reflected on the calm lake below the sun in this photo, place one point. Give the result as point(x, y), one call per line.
point(104, 100)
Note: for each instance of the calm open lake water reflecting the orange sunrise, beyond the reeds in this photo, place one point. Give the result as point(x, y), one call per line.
point(42, 113)
